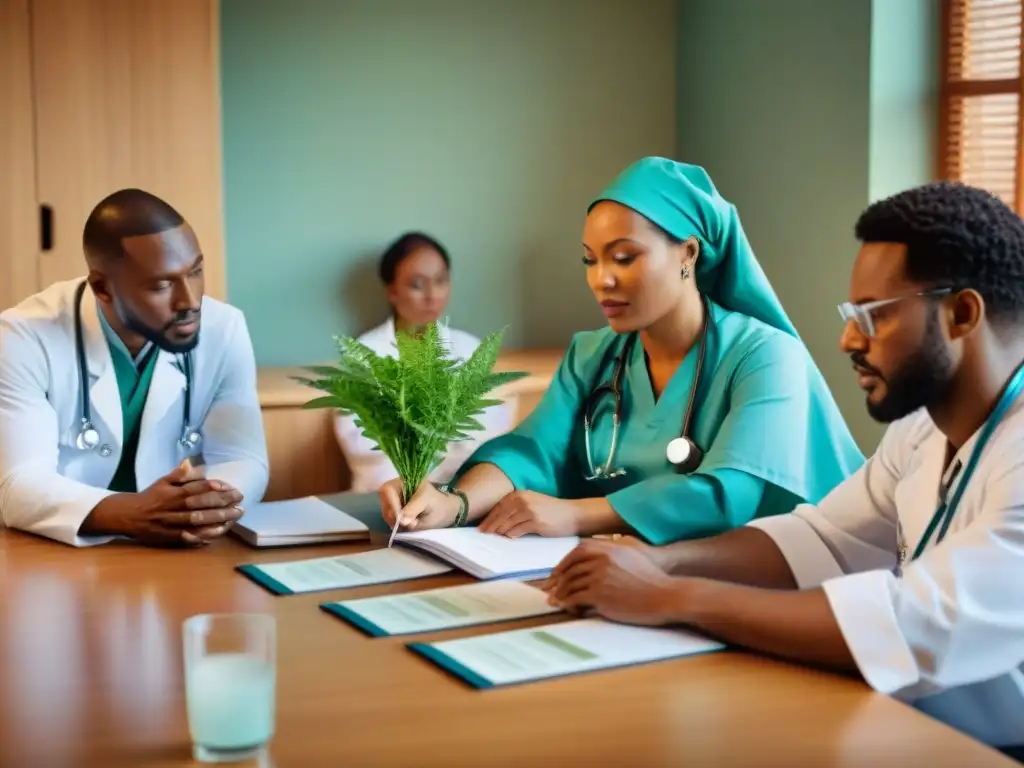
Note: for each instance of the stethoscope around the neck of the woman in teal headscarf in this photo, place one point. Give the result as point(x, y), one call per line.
point(682, 452)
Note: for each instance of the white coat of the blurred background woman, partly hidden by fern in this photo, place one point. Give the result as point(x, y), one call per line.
point(371, 468)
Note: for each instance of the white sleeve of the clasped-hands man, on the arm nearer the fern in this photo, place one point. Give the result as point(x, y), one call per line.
point(234, 441)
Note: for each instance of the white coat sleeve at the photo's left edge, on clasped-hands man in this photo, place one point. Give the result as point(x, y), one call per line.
point(34, 497)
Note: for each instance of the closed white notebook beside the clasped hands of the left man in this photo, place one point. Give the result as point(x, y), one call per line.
point(309, 521)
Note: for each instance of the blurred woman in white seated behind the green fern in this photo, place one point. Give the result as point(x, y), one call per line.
point(415, 271)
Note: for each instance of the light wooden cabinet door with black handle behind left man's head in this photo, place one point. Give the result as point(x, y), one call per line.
point(127, 95)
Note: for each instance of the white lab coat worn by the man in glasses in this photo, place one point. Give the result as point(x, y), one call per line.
point(949, 636)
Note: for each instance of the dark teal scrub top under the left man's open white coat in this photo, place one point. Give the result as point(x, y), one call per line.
point(135, 376)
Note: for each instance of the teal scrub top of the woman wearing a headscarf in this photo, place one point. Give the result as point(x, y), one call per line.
point(767, 431)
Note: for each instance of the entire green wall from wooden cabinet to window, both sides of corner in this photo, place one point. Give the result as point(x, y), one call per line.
point(492, 125)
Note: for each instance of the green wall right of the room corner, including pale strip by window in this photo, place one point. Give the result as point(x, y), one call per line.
point(803, 112)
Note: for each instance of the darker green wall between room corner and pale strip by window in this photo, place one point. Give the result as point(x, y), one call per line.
point(774, 101)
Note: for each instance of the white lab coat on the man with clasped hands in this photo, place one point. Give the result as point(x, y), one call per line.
point(48, 485)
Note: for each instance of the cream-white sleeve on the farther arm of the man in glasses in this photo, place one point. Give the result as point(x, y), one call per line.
point(851, 530)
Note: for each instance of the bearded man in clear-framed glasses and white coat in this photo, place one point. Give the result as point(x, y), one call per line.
point(910, 574)
